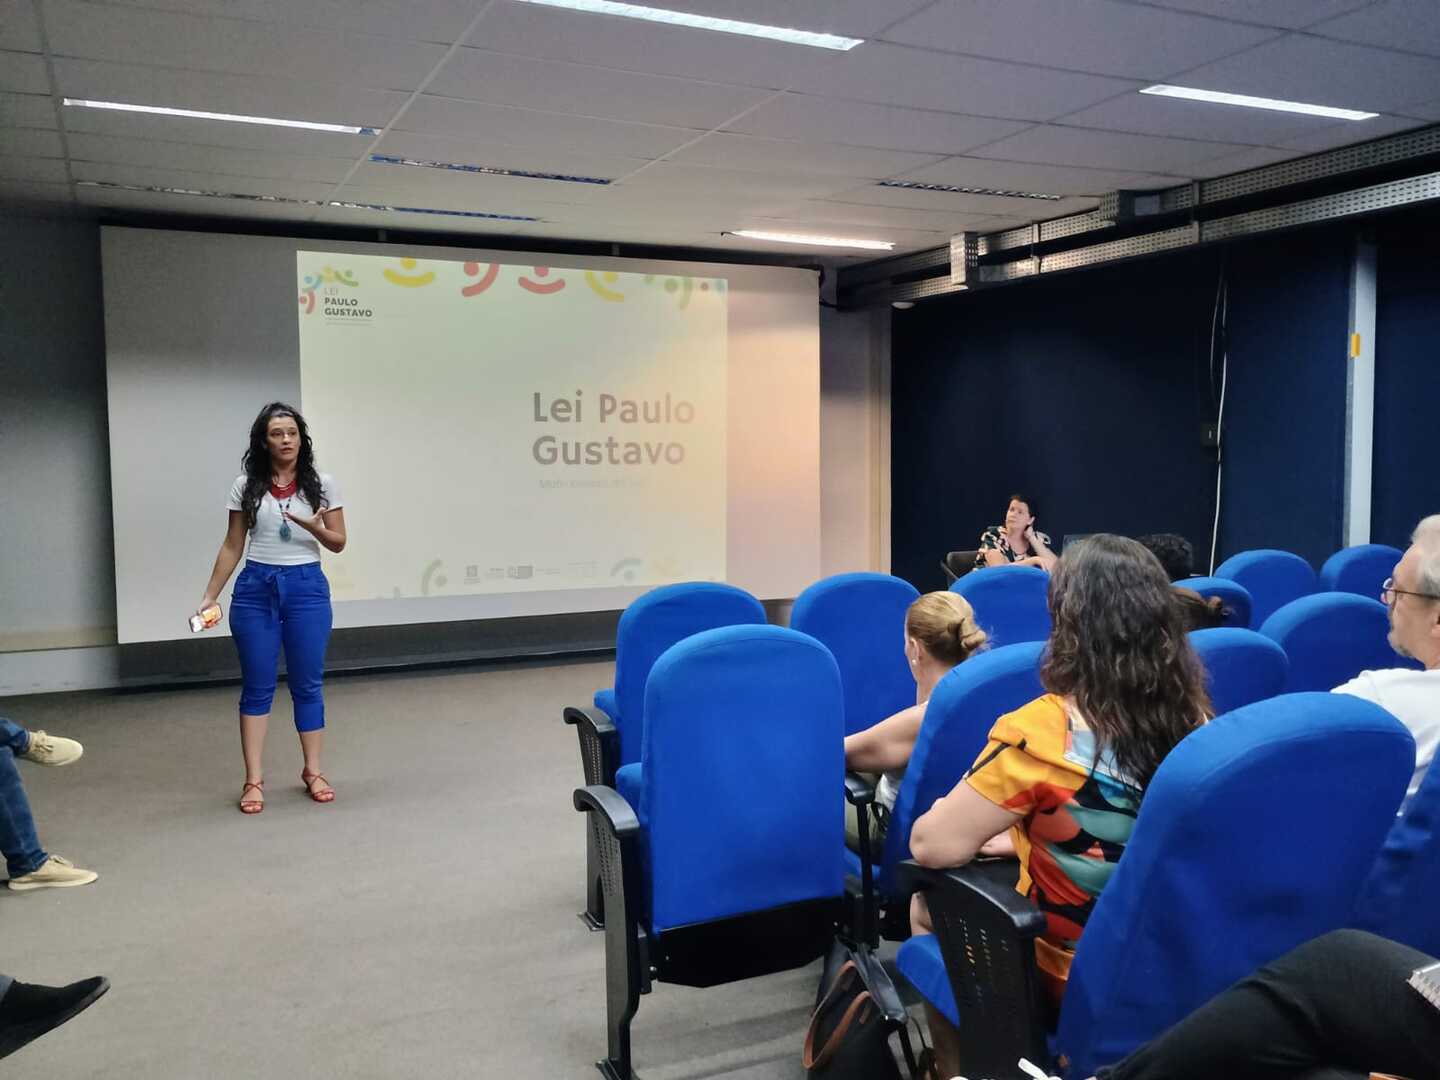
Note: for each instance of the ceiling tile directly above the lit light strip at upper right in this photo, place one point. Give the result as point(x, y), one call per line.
point(1326, 73)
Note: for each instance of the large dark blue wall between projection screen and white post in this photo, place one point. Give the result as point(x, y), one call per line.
point(1088, 394)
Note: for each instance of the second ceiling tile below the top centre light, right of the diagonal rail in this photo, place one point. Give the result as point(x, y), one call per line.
point(581, 90)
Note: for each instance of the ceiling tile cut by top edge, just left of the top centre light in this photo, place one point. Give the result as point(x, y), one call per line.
point(426, 21)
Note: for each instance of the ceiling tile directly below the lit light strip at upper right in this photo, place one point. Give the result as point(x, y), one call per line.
point(1154, 116)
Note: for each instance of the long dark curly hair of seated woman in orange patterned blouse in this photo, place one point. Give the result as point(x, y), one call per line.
point(1121, 653)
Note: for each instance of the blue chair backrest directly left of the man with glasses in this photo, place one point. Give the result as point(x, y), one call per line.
point(1331, 637)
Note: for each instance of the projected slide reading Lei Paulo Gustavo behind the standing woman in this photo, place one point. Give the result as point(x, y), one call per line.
point(500, 428)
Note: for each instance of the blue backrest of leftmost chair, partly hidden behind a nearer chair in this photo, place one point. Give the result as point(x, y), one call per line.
point(656, 621)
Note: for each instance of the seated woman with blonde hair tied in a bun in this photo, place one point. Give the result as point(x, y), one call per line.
point(940, 633)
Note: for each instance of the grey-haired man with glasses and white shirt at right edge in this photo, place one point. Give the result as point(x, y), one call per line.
point(1413, 597)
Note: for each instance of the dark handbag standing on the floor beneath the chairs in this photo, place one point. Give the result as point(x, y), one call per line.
point(856, 1014)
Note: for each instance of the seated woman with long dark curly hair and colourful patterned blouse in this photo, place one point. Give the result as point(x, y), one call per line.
point(1062, 778)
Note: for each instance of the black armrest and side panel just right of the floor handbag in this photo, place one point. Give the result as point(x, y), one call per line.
point(987, 935)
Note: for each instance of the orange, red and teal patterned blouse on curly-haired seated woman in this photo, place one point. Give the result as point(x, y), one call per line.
point(1079, 813)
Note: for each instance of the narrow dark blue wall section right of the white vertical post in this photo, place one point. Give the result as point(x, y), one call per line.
point(1408, 378)
